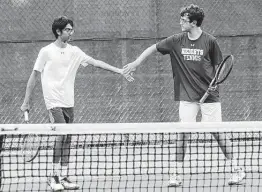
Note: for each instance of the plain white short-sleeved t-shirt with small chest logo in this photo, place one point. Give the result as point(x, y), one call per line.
point(58, 67)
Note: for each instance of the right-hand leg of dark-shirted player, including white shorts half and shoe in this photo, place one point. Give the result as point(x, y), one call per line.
point(211, 112)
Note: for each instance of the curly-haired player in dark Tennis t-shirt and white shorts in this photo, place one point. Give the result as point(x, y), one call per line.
point(194, 56)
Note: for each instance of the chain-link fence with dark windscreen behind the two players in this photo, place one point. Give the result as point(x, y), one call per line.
point(117, 32)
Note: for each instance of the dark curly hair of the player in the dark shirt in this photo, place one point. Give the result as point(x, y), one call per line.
point(194, 13)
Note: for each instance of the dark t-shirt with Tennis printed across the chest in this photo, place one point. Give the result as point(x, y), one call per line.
point(193, 64)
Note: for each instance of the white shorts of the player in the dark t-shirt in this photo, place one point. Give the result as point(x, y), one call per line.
point(211, 112)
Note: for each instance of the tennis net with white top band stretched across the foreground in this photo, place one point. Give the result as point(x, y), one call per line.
point(133, 157)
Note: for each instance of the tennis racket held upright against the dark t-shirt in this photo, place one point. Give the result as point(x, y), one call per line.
point(222, 72)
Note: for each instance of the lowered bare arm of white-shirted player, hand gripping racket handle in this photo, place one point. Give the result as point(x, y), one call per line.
point(35, 75)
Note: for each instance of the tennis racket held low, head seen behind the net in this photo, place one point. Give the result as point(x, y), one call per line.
point(30, 144)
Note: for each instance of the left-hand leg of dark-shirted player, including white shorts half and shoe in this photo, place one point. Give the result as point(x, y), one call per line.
point(187, 113)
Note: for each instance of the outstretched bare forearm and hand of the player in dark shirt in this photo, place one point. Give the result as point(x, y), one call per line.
point(132, 66)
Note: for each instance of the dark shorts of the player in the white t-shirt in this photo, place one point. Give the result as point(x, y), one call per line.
point(61, 115)
